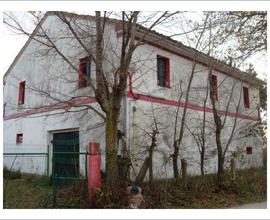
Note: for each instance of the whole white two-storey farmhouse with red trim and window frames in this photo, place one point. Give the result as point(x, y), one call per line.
point(47, 102)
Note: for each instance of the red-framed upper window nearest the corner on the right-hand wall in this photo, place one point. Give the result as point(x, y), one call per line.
point(163, 71)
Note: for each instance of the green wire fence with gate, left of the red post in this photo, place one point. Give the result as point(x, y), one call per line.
point(60, 176)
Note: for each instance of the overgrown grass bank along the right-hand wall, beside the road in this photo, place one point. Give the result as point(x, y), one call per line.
point(250, 186)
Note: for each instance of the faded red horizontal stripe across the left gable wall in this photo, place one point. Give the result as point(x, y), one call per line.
point(51, 108)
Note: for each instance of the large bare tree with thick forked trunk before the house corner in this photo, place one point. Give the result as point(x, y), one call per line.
point(108, 93)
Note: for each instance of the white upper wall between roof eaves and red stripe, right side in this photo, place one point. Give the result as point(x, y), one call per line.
point(145, 81)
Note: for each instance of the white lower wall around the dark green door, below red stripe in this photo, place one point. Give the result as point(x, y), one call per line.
point(37, 136)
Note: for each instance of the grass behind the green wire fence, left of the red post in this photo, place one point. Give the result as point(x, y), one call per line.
point(24, 191)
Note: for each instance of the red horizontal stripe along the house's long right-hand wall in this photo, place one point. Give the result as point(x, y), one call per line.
point(189, 106)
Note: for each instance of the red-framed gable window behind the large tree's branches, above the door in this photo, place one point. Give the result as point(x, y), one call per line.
point(84, 72)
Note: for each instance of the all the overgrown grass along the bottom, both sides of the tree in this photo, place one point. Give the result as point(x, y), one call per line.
point(24, 191)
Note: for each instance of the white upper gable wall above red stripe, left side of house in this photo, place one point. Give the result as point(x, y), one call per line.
point(50, 79)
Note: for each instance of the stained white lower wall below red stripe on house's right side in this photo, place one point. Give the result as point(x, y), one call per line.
point(141, 125)
